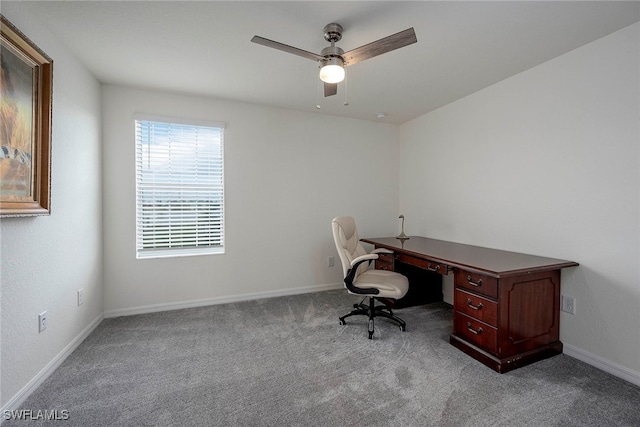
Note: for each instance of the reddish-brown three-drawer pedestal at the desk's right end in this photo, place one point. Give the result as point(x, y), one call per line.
point(509, 322)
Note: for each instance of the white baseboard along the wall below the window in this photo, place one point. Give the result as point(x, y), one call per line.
point(218, 300)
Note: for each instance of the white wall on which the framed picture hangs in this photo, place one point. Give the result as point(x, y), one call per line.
point(46, 259)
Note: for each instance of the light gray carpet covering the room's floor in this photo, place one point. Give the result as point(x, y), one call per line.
point(287, 362)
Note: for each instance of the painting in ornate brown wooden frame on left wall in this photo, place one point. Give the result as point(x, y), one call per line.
point(25, 128)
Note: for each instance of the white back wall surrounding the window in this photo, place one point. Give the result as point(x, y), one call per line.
point(287, 174)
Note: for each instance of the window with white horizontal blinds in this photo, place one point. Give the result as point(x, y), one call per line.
point(179, 188)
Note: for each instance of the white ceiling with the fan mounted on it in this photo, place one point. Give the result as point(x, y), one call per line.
point(204, 47)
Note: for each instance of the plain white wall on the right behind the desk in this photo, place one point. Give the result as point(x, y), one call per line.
point(547, 163)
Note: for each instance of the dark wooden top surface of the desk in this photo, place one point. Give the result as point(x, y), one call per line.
point(495, 262)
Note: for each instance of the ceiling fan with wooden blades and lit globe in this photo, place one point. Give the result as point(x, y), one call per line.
point(332, 59)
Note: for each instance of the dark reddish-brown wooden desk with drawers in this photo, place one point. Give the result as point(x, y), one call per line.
point(506, 304)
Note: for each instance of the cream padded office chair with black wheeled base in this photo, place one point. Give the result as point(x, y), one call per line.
point(359, 279)
